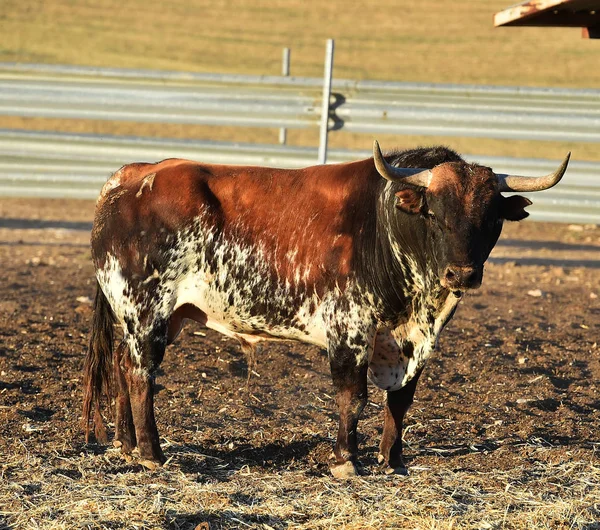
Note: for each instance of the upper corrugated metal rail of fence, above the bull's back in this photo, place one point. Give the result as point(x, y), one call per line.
point(293, 102)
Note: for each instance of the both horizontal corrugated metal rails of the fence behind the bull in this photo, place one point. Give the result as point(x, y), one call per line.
point(53, 164)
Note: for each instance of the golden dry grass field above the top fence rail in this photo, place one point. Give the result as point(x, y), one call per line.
point(424, 40)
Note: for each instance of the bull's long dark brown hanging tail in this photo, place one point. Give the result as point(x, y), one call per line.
point(97, 370)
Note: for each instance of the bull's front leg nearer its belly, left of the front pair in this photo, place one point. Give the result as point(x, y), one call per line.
point(349, 373)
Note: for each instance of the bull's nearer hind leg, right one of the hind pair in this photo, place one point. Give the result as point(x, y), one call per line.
point(147, 352)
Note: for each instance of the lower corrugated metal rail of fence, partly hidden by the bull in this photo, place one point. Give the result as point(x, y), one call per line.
point(38, 164)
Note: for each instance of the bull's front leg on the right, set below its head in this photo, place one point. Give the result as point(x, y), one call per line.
point(396, 405)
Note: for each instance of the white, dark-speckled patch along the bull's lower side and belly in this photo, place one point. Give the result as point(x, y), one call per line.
point(234, 285)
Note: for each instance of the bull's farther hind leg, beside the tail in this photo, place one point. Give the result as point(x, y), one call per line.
point(124, 428)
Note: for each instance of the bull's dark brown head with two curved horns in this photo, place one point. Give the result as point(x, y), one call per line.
point(463, 209)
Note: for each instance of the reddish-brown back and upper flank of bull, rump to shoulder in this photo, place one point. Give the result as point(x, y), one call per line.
point(300, 218)
